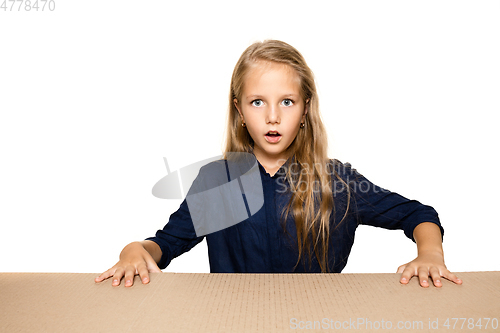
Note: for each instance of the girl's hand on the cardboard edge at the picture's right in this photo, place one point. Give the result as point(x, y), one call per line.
point(427, 265)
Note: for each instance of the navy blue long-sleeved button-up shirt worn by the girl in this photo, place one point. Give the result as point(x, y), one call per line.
point(260, 244)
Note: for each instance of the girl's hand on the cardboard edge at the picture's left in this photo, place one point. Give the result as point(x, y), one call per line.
point(134, 260)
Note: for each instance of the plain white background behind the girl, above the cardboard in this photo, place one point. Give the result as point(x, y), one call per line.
point(94, 94)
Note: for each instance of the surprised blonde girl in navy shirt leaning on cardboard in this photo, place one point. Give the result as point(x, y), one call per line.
point(311, 204)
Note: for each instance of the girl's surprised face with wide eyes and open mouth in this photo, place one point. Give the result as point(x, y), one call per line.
point(272, 109)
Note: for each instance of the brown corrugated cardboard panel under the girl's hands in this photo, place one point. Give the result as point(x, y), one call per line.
point(182, 302)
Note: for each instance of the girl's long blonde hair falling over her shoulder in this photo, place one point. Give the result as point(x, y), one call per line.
point(311, 208)
